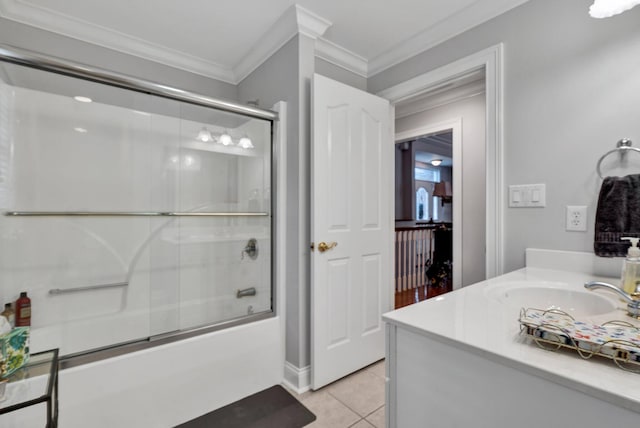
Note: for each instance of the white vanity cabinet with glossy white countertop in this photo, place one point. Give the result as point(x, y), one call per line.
point(458, 360)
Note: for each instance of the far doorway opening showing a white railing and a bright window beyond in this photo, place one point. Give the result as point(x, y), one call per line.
point(424, 217)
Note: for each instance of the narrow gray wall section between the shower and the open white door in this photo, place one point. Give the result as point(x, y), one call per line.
point(287, 76)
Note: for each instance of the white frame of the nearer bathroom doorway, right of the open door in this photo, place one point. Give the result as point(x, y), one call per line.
point(491, 60)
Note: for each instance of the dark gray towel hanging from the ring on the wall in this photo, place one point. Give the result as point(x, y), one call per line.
point(618, 215)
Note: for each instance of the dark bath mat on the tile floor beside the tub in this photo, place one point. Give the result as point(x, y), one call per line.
point(272, 408)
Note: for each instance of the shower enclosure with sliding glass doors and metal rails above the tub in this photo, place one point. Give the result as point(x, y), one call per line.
point(130, 212)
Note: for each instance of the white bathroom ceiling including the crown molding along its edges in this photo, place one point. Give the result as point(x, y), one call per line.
point(227, 39)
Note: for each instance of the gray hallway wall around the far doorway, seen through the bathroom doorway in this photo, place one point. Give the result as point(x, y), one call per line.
point(472, 112)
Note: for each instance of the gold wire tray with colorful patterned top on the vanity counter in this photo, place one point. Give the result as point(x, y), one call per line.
point(553, 329)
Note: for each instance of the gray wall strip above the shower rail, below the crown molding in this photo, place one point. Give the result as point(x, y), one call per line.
point(27, 37)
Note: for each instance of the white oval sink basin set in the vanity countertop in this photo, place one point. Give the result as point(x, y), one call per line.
point(551, 295)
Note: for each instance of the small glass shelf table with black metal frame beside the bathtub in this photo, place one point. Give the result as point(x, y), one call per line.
point(29, 389)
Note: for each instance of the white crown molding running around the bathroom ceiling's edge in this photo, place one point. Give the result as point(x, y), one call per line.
point(295, 20)
